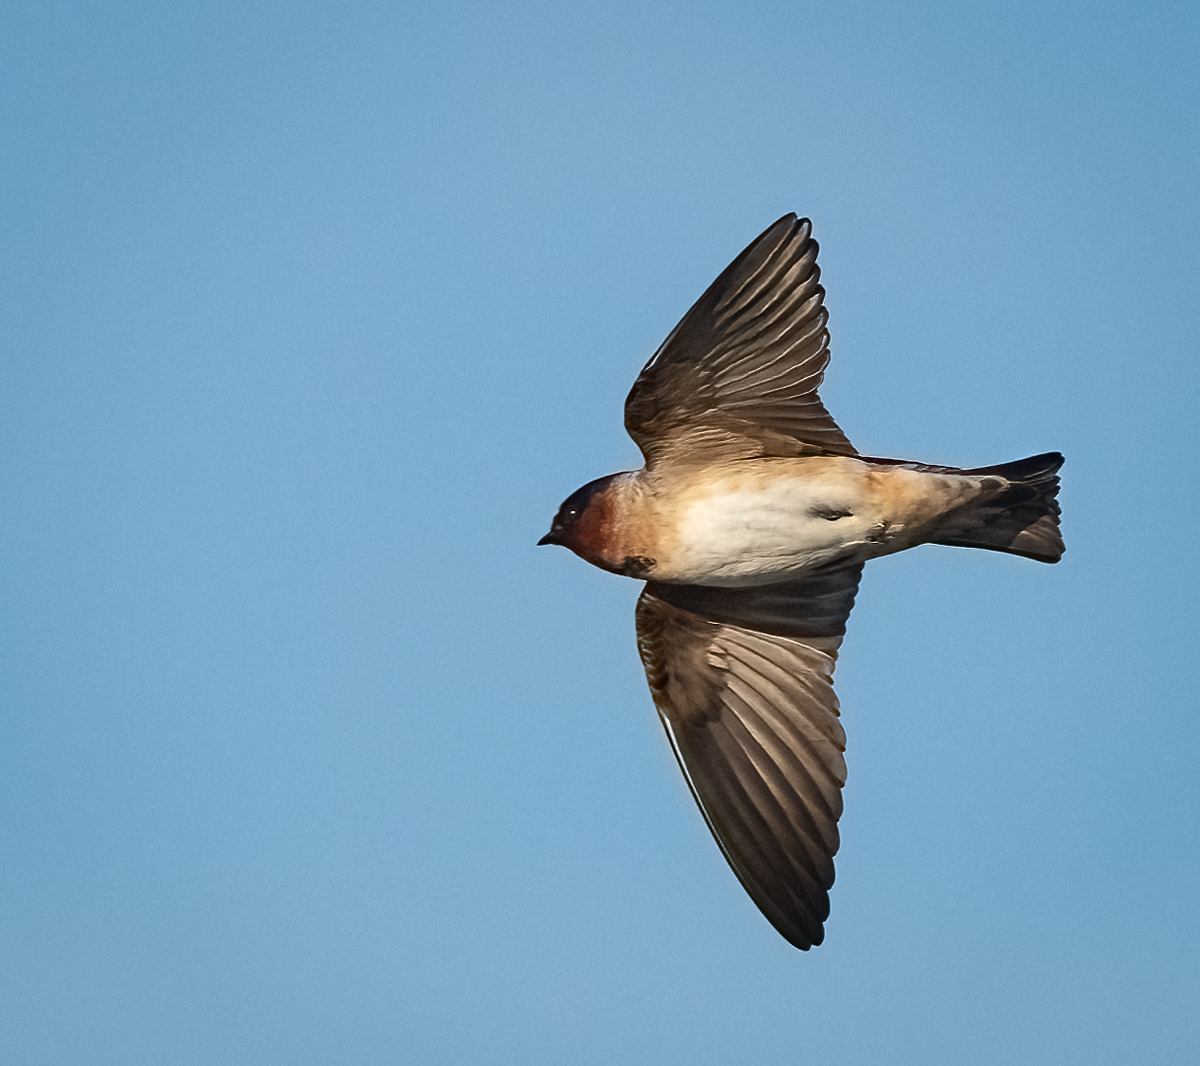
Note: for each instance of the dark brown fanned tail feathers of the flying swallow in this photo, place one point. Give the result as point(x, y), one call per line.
point(1022, 519)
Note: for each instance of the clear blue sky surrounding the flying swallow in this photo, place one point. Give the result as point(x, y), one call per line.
point(315, 313)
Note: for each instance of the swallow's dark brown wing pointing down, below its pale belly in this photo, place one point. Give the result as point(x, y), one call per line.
point(743, 682)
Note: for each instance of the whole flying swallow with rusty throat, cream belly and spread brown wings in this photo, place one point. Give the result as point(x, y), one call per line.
point(751, 524)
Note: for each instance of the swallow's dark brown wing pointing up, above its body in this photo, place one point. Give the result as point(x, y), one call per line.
point(739, 376)
